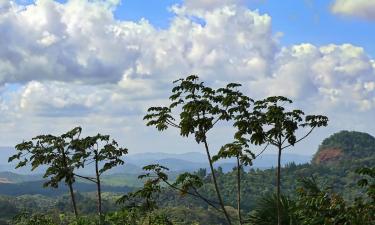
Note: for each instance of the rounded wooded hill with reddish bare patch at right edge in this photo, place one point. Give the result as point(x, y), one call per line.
point(345, 146)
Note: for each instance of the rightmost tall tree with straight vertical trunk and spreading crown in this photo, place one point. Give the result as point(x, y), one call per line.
point(271, 124)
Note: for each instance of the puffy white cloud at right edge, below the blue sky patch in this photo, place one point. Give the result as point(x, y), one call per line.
point(334, 74)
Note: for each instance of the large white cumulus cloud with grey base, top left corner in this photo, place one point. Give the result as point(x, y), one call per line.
point(67, 42)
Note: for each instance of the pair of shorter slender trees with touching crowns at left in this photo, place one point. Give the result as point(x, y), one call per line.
point(65, 153)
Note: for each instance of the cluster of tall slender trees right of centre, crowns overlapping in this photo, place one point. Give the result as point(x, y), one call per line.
point(267, 122)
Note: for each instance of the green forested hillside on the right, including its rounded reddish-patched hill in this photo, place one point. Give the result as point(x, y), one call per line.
point(341, 177)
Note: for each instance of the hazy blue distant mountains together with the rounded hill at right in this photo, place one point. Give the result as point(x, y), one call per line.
point(343, 147)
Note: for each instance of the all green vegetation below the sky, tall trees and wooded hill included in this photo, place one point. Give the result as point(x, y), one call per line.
point(337, 187)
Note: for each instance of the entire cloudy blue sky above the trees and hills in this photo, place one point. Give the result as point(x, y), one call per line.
point(100, 64)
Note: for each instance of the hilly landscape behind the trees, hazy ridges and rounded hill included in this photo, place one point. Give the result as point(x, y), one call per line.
point(338, 175)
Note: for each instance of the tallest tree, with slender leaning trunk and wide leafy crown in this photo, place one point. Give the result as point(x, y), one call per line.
point(201, 108)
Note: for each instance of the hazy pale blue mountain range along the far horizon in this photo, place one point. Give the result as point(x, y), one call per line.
point(189, 161)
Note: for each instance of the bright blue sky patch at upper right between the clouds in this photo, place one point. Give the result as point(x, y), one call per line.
point(313, 22)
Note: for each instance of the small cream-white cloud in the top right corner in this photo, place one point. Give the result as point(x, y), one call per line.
point(359, 8)
